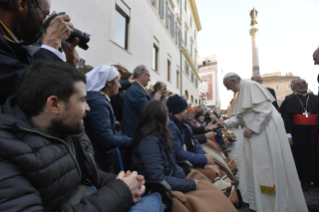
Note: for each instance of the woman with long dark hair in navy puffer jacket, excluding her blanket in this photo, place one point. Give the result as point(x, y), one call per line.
point(153, 155)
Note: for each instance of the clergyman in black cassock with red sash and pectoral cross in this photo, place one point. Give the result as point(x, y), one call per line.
point(299, 112)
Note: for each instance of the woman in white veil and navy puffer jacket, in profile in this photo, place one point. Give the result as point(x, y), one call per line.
point(103, 82)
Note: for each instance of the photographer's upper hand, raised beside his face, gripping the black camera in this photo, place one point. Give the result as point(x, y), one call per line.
point(59, 30)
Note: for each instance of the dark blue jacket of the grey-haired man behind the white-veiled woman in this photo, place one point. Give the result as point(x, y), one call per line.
point(134, 101)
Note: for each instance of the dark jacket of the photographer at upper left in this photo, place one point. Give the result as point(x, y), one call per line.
point(14, 60)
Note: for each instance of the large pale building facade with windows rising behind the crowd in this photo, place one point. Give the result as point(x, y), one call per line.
point(161, 34)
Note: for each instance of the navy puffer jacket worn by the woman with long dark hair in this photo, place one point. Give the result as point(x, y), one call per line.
point(151, 159)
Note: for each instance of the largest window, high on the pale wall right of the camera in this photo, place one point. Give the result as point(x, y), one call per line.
point(121, 28)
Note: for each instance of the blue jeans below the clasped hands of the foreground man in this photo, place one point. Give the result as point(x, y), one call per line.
point(149, 203)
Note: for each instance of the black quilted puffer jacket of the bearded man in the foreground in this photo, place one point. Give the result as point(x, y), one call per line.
point(39, 172)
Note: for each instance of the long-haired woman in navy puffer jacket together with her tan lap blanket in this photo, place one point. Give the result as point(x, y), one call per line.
point(153, 157)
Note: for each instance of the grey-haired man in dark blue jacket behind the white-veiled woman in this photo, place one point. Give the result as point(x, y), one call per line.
point(135, 99)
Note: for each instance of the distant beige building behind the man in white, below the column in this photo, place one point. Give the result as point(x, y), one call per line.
point(281, 84)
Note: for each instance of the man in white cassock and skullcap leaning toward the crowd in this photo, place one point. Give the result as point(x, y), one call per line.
point(268, 177)
